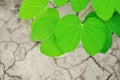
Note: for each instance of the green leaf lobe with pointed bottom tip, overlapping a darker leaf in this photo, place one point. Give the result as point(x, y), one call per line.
point(93, 35)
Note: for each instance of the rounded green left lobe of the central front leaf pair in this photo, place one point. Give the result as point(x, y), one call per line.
point(68, 32)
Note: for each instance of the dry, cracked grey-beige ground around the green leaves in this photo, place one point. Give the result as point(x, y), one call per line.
point(20, 58)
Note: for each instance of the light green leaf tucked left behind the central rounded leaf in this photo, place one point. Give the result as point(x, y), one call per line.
point(43, 28)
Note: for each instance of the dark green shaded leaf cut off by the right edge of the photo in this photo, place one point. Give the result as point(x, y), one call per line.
point(114, 24)
